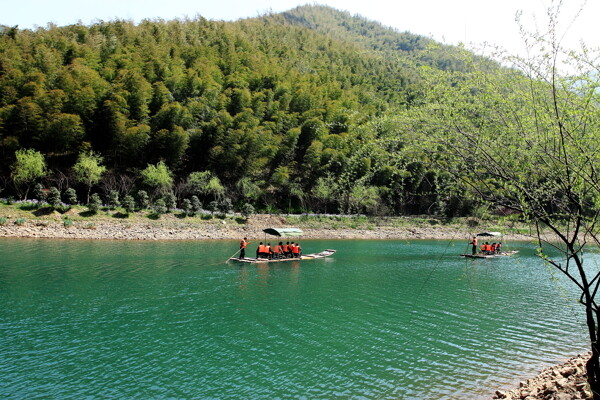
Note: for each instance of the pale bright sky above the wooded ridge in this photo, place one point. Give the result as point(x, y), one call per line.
point(472, 22)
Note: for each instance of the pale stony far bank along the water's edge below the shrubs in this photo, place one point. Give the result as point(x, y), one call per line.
point(172, 228)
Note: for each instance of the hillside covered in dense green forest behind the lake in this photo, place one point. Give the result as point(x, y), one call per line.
point(292, 112)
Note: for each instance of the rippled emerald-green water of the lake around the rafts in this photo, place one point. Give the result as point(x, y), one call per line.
point(378, 320)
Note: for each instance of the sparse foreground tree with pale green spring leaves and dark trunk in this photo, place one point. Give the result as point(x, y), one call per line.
point(528, 141)
